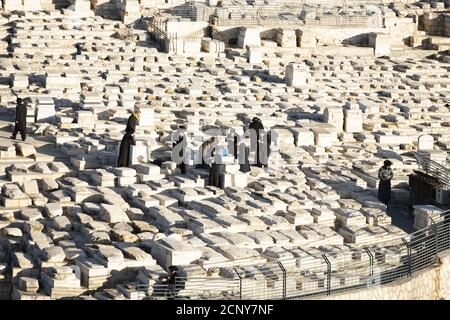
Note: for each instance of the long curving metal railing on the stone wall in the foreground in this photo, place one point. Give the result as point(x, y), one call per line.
point(319, 272)
